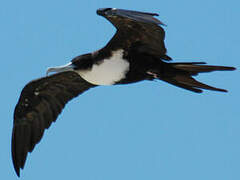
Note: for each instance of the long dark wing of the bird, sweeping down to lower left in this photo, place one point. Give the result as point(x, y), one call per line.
point(40, 103)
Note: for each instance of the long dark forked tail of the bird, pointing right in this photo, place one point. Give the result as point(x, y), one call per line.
point(180, 74)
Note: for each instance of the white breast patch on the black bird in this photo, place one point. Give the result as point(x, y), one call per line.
point(108, 72)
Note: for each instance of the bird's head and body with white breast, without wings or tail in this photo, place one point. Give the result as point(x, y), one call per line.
point(117, 68)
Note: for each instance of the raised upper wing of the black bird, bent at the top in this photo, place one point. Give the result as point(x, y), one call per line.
point(136, 29)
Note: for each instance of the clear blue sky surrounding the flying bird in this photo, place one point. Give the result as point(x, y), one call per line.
point(148, 130)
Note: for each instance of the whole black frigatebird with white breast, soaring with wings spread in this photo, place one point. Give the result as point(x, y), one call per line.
point(136, 52)
